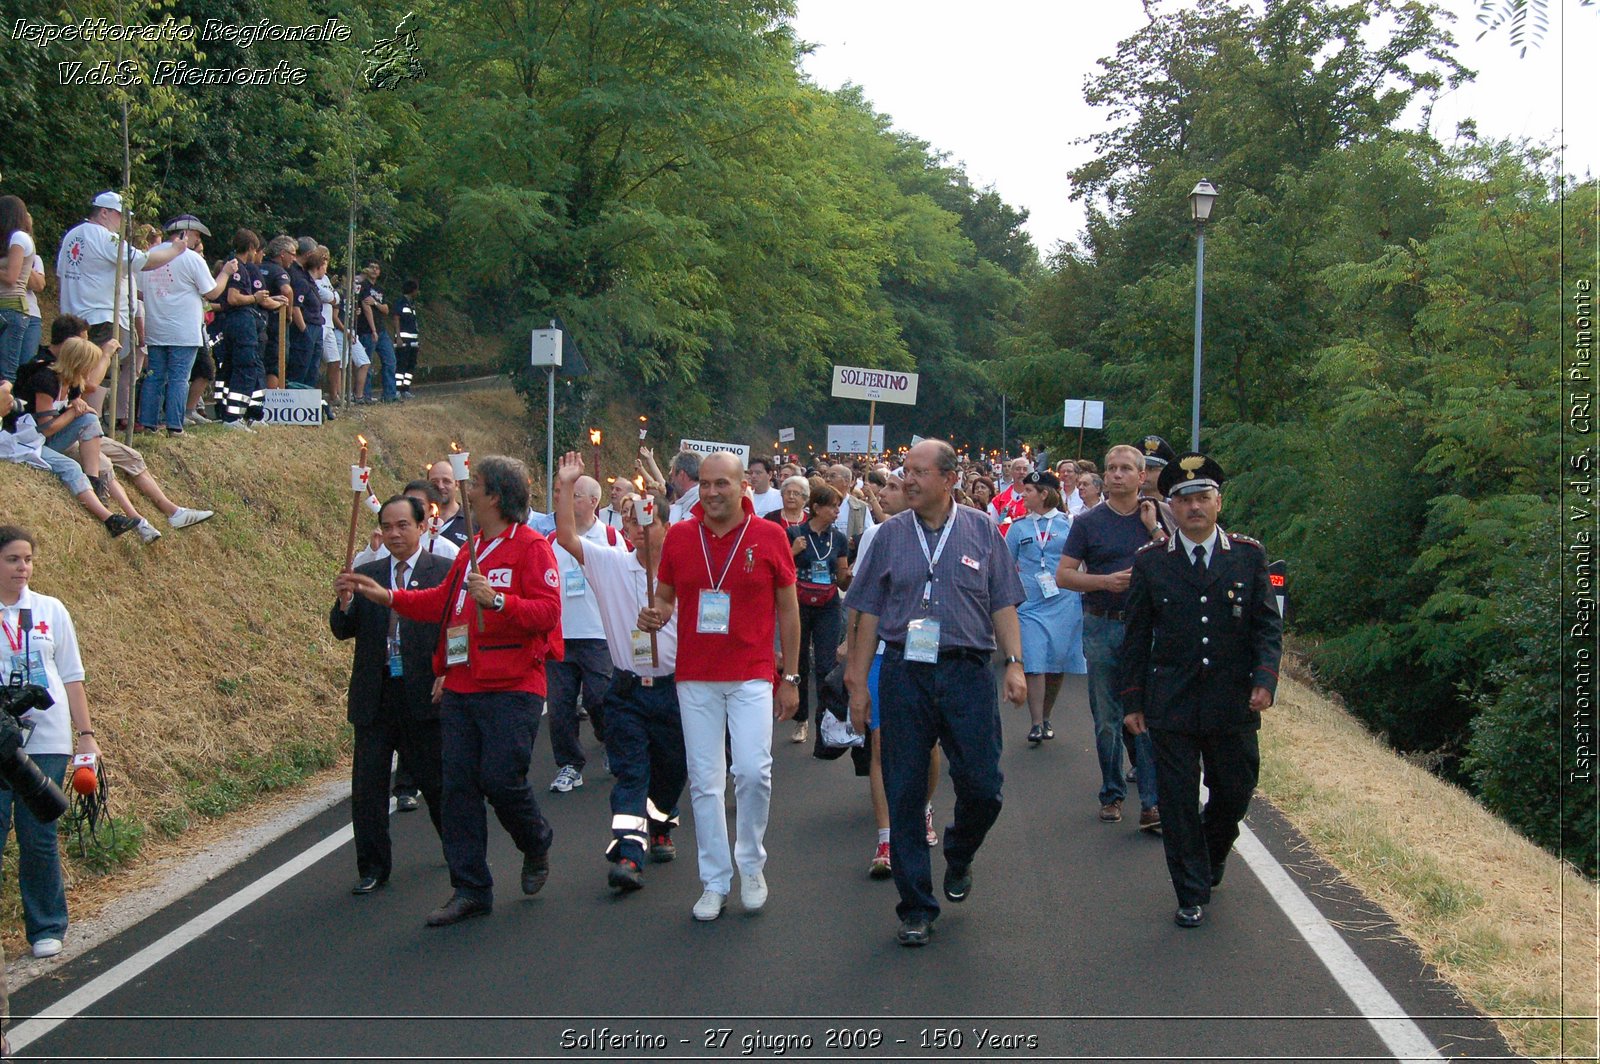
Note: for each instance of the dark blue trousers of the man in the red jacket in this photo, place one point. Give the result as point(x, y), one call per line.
point(487, 743)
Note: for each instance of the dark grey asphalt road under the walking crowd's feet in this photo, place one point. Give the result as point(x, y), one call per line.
point(1065, 951)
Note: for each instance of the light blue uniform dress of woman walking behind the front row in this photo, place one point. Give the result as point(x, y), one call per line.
point(1052, 626)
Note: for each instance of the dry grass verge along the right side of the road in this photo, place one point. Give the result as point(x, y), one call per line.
point(1500, 918)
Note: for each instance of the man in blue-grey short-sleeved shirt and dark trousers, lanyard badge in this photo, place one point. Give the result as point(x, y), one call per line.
point(940, 590)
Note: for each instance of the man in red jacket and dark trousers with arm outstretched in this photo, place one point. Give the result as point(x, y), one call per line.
point(498, 628)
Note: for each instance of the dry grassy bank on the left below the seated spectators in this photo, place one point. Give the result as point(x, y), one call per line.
point(212, 676)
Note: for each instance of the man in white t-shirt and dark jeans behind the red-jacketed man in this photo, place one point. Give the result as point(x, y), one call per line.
point(586, 663)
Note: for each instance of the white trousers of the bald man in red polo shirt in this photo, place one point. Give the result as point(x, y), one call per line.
point(743, 711)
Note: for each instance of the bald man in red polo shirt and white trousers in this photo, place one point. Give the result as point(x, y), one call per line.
point(735, 578)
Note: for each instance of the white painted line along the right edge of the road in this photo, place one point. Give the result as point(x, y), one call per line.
point(1383, 1012)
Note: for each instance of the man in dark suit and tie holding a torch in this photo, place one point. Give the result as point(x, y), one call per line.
point(394, 697)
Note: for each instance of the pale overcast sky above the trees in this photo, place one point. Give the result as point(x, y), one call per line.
point(999, 84)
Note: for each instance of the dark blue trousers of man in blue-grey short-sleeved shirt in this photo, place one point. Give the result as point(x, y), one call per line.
point(951, 703)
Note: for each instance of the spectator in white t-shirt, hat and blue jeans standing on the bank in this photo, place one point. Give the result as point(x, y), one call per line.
point(175, 297)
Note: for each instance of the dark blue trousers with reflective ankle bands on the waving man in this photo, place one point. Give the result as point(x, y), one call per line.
point(644, 738)
